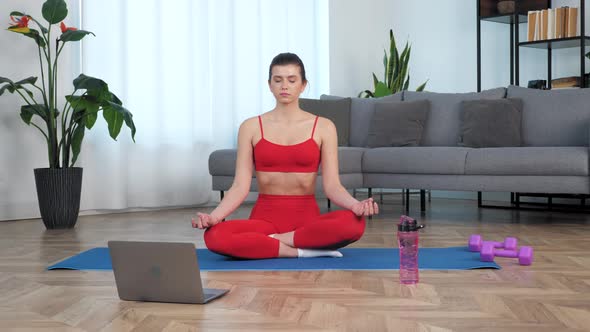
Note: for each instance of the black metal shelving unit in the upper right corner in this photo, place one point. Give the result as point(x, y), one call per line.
point(487, 11)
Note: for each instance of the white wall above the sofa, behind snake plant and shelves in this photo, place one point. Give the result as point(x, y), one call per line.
point(443, 39)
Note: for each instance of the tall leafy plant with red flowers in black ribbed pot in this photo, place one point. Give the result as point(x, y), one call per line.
point(61, 124)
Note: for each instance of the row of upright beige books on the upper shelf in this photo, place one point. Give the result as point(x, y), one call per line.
point(552, 23)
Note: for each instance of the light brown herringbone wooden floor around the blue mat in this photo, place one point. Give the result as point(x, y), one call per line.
point(551, 295)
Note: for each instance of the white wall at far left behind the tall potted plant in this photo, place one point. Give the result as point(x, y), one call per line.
point(19, 144)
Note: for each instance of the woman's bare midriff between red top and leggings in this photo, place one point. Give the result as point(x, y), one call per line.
point(279, 183)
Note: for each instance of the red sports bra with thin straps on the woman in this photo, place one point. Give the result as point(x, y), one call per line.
point(302, 157)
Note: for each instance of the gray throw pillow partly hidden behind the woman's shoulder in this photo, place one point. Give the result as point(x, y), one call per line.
point(336, 110)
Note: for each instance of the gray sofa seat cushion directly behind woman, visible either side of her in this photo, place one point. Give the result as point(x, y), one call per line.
point(223, 162)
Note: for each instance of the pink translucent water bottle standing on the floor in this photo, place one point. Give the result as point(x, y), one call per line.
point(407, 238)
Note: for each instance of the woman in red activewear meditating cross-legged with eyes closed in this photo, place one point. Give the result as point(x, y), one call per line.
point(284, 146)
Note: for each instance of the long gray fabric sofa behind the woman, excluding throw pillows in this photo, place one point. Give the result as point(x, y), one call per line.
point(553, 157)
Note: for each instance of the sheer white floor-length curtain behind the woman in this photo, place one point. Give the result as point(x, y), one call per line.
point(190, 72)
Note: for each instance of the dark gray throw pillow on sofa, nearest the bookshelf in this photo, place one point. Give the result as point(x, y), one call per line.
point(491, 123)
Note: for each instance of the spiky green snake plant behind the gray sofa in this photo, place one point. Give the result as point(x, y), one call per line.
point(396, 75)
